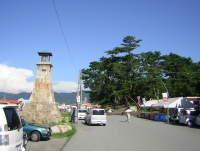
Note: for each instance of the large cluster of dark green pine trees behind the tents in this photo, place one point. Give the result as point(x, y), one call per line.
point(121, 77)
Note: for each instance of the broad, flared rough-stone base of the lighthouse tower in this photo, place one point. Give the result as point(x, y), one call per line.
point(42, 112)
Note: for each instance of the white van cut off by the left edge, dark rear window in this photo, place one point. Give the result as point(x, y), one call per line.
point(11, 130)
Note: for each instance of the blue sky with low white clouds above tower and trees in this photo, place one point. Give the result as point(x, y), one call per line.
point(91, 27)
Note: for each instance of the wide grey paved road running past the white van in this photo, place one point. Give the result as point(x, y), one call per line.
point(139, 135)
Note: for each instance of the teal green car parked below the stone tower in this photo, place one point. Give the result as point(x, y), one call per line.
point(36, 132)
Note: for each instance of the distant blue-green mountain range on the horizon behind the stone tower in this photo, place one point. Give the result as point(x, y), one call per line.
point(68, 98)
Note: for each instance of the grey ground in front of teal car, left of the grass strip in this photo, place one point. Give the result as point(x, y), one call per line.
point(53, 144)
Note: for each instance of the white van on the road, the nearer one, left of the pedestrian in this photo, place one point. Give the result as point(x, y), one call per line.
point(96, 116)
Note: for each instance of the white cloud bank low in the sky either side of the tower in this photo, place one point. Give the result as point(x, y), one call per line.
point(14, 80)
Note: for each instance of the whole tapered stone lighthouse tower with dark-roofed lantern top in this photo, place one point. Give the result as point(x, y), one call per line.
point(42, 106)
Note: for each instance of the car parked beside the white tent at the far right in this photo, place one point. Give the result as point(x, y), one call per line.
point(188, 117)
